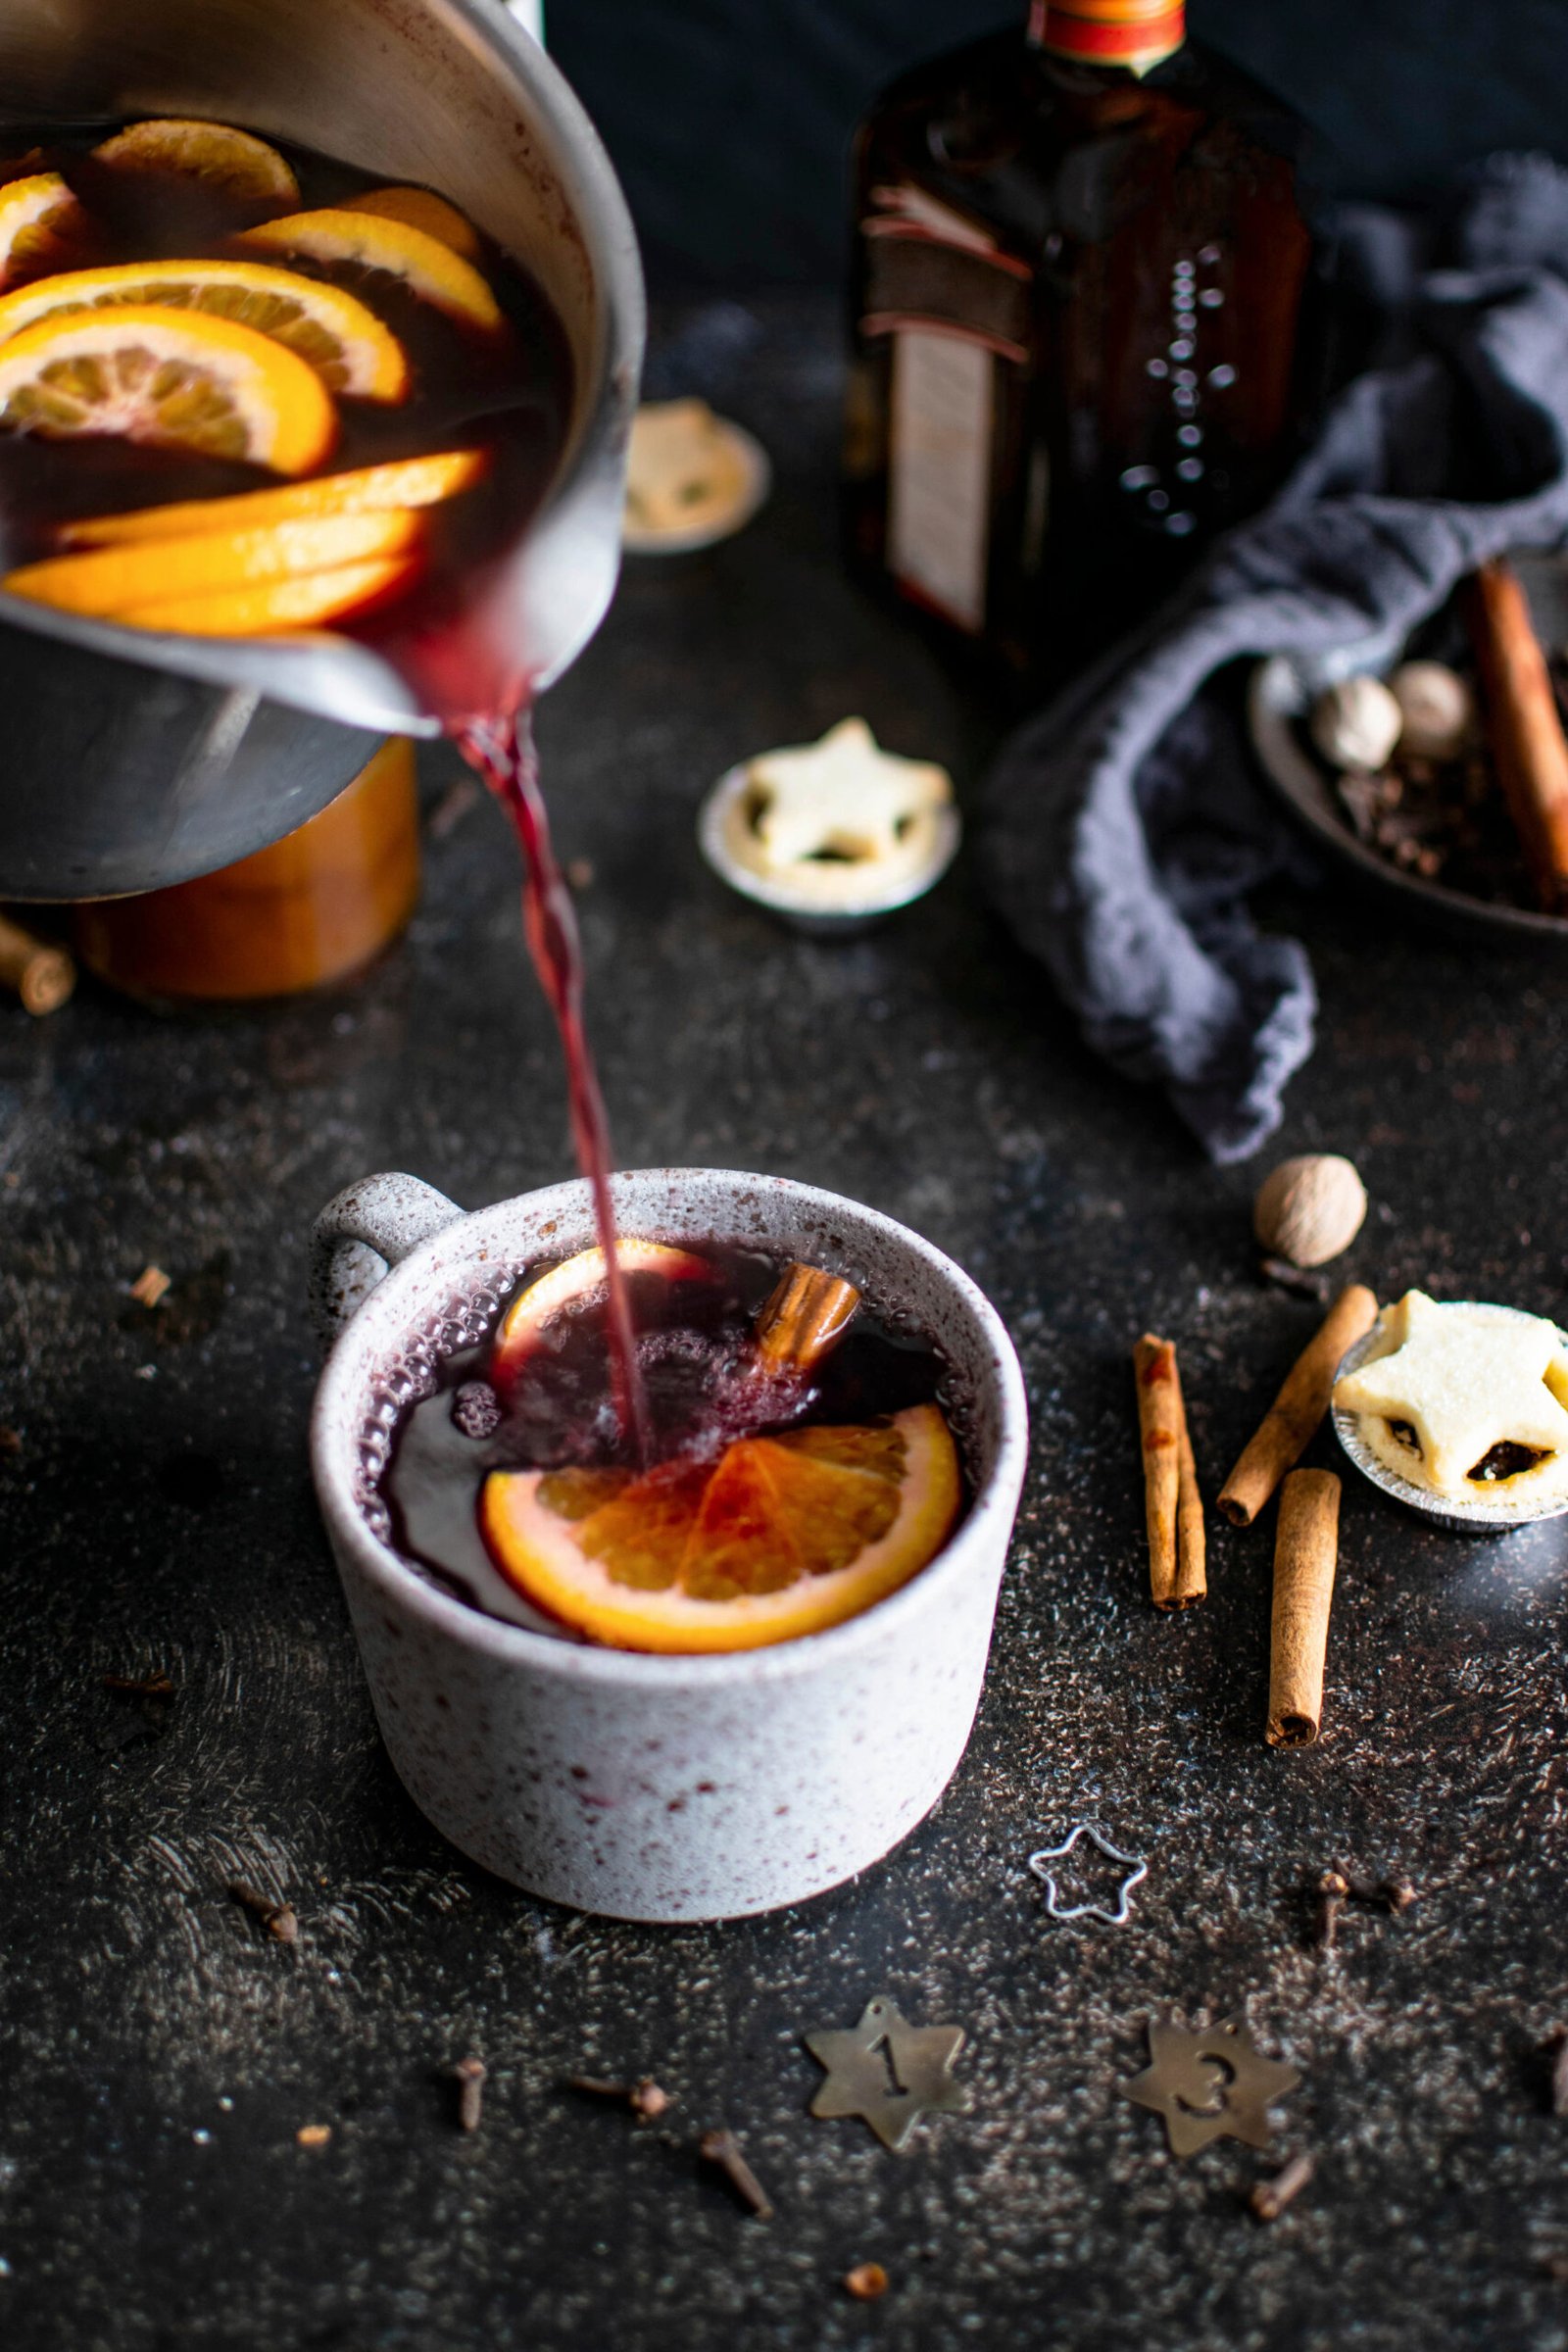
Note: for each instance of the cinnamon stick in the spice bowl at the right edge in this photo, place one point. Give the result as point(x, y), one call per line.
point(1522, 726)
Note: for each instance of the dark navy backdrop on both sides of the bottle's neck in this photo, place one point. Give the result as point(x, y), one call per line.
point(730, 121)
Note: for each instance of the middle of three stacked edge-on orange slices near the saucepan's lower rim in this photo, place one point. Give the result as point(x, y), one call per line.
point(109, 582)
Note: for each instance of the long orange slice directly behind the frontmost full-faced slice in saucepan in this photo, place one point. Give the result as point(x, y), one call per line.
point(344, 342)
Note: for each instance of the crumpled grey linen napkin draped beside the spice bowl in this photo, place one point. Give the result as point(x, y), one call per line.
point(1123, 829)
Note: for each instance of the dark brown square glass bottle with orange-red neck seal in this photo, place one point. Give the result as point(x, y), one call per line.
point(1083, 262)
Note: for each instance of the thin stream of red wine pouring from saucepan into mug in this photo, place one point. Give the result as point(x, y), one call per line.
point(507, 759)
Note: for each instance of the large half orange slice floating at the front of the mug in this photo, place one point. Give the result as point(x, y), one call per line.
point(782, 1537)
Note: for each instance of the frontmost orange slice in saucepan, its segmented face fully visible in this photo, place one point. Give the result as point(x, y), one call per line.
point(173, 377)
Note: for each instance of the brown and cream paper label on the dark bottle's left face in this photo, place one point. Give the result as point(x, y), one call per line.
point(956, 309)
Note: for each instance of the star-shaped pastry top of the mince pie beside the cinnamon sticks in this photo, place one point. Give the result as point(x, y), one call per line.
point(1463, 1379)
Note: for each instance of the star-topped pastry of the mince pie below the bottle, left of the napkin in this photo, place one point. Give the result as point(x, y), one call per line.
point(838, 815)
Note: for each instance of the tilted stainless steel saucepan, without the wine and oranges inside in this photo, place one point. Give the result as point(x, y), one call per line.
point(130, 761)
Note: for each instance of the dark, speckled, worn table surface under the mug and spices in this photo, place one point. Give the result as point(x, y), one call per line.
point(161, 2052)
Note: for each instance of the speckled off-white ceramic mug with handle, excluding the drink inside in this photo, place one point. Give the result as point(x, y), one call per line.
point(641, 1786)
